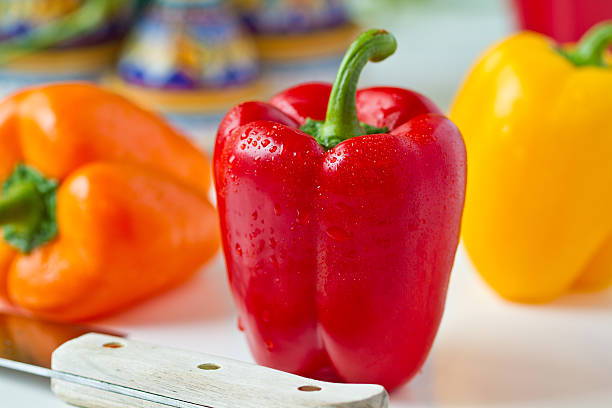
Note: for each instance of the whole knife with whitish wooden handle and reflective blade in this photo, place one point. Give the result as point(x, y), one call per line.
point(90, 367)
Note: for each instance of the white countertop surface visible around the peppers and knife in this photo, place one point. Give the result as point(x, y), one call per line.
point(488, 353)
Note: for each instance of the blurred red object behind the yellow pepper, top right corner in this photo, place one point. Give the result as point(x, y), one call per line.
point(563, 20)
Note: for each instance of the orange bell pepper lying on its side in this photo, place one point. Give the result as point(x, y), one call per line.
point(128, 212)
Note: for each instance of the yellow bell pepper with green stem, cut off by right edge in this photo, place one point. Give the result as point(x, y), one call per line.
point(536, 120)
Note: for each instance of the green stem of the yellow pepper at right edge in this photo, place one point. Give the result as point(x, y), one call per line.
point(591, 48)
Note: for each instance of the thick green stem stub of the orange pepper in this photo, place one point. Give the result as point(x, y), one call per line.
point(21, 206)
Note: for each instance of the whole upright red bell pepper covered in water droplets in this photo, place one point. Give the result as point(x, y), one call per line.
point(339, 258)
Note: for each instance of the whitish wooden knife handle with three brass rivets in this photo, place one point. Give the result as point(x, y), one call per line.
point(190, 379)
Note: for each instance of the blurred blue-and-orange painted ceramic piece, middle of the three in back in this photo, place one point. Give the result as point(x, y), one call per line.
point(188, 55)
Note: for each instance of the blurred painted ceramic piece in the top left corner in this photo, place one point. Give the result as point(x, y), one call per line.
point(61, 37)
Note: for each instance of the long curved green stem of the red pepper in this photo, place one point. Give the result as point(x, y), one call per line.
point(341, 120)
